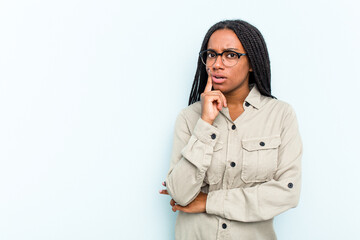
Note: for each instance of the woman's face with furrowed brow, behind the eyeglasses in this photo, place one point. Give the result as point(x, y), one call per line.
point(228, 79)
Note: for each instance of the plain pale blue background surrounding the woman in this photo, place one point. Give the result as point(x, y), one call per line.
point(89, 92)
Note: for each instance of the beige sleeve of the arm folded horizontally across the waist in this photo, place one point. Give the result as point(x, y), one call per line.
point(266, 200)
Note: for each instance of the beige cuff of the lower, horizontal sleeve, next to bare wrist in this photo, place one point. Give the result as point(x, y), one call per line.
point(215, 203)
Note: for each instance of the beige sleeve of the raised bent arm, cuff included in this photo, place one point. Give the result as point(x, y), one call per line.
point(191, 156)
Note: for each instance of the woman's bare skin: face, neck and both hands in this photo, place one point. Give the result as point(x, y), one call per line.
point(231, 93)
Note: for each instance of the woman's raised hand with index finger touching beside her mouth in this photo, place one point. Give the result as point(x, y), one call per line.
point(211, 102)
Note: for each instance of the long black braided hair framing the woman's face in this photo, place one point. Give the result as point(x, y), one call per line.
point(253, 43)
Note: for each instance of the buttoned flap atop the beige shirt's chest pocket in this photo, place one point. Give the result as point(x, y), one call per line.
point(254, 144)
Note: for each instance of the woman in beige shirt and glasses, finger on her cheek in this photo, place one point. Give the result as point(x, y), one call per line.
point(236, 159)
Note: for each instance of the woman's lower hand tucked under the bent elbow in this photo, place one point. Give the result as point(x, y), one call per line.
point(198, 205)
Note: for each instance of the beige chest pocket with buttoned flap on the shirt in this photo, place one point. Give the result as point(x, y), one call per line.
point(260, 157)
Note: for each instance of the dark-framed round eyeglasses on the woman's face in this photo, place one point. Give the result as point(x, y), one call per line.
point(229, 58)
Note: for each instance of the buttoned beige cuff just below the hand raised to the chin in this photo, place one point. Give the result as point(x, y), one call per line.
point(206, 132)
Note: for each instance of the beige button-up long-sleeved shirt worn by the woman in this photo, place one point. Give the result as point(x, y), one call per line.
point(250, 168)
